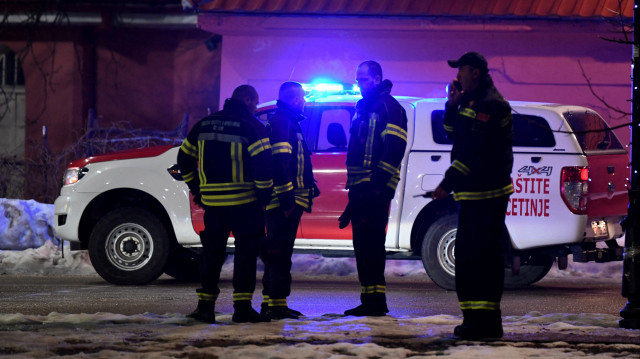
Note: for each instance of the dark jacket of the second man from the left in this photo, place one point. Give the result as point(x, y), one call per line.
point(292, 172)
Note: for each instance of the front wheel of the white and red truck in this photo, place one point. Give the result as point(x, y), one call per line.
point(129, 246)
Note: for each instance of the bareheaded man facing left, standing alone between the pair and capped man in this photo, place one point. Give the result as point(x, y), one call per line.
point(376, 148)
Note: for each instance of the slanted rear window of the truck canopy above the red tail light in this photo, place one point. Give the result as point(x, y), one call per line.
point(592, 133)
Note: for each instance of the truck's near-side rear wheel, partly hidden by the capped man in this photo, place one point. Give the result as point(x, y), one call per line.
point(438, 251)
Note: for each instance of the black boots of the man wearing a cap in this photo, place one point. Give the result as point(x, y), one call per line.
point(480, 324)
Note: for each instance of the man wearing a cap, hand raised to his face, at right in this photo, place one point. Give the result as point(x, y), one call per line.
point(479, 122)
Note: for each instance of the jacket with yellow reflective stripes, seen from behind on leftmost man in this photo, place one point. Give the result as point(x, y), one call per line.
point(226, 158)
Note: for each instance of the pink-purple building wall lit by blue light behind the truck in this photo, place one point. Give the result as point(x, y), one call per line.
point(532, 60)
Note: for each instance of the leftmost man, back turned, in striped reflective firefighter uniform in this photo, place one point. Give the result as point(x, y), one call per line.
point(226, 162)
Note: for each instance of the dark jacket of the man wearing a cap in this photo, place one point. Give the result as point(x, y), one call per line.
point(481, 129)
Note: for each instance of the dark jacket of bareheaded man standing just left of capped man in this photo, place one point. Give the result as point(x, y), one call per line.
point(378, 141)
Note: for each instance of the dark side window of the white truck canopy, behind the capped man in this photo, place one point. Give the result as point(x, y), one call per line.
point(528, 130)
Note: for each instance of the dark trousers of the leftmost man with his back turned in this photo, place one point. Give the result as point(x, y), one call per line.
point(246, 222)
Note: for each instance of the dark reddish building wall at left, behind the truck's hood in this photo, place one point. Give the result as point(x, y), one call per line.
point(138, 78)
